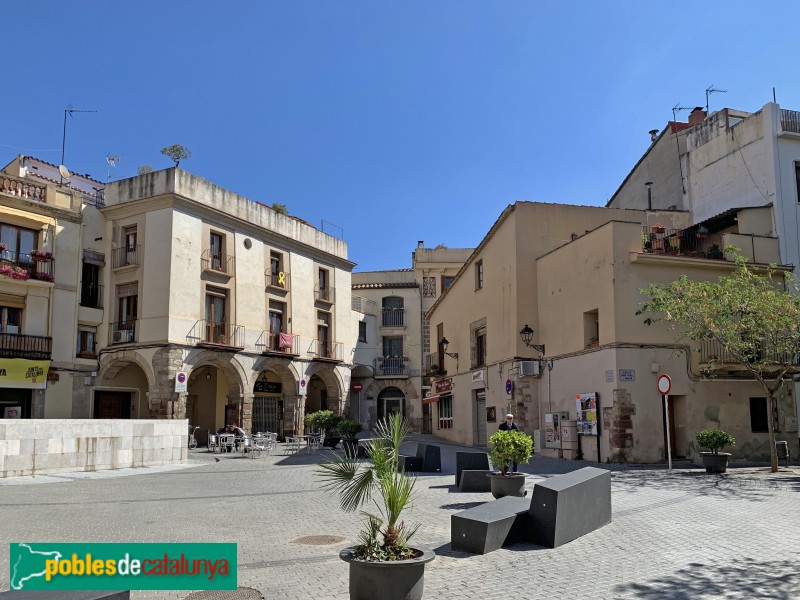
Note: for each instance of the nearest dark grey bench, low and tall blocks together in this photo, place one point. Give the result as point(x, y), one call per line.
point(561, 509)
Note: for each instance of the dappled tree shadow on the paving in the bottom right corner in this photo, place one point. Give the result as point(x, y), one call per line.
point(745, 578)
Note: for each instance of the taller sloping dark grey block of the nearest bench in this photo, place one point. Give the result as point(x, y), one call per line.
point(569, 506)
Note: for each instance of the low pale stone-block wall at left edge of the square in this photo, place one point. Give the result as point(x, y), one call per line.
point(42, 446)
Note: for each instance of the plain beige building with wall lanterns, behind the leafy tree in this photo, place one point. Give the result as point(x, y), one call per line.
point(572, 275)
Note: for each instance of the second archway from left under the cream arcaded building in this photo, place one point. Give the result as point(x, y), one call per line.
point(207, 401)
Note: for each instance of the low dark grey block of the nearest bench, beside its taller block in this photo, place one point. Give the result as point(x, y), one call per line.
point(490, 526)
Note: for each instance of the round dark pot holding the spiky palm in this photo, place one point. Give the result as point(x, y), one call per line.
point(387, 580)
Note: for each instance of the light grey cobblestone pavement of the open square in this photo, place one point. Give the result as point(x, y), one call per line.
point(674, 535)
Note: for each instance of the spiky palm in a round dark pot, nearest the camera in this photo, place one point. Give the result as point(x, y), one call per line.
point(382, 565)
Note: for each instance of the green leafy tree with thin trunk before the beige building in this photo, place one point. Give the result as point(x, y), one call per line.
point(748, 313)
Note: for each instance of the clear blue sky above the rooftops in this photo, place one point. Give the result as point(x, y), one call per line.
point(396, 120)
